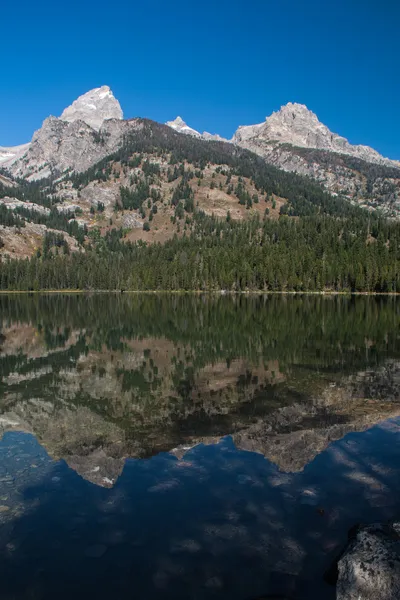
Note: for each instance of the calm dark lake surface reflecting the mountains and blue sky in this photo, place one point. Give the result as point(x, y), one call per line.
point(192, 447)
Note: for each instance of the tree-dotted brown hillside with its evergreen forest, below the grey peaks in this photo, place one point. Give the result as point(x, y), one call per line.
point(172, 212)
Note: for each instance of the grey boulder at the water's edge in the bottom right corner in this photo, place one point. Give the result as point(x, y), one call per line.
point(369, 569)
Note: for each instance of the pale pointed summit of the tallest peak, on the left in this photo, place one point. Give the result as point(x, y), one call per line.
point(94, 108)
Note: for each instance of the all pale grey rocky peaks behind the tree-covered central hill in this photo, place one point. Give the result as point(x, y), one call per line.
point(292, 139)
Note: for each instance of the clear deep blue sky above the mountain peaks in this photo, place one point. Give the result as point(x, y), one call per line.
point(217, 63)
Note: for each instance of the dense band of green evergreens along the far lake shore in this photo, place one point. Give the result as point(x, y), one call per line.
point(312, 253)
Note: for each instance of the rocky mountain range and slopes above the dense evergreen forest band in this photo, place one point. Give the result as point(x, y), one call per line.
point(94, 175)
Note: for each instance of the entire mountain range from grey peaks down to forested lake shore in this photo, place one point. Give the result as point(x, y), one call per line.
point(258, 202)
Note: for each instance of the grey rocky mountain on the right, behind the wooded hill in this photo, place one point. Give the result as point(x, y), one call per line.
point(293, 139)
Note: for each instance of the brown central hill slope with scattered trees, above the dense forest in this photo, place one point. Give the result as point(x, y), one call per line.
point(151, 186)
